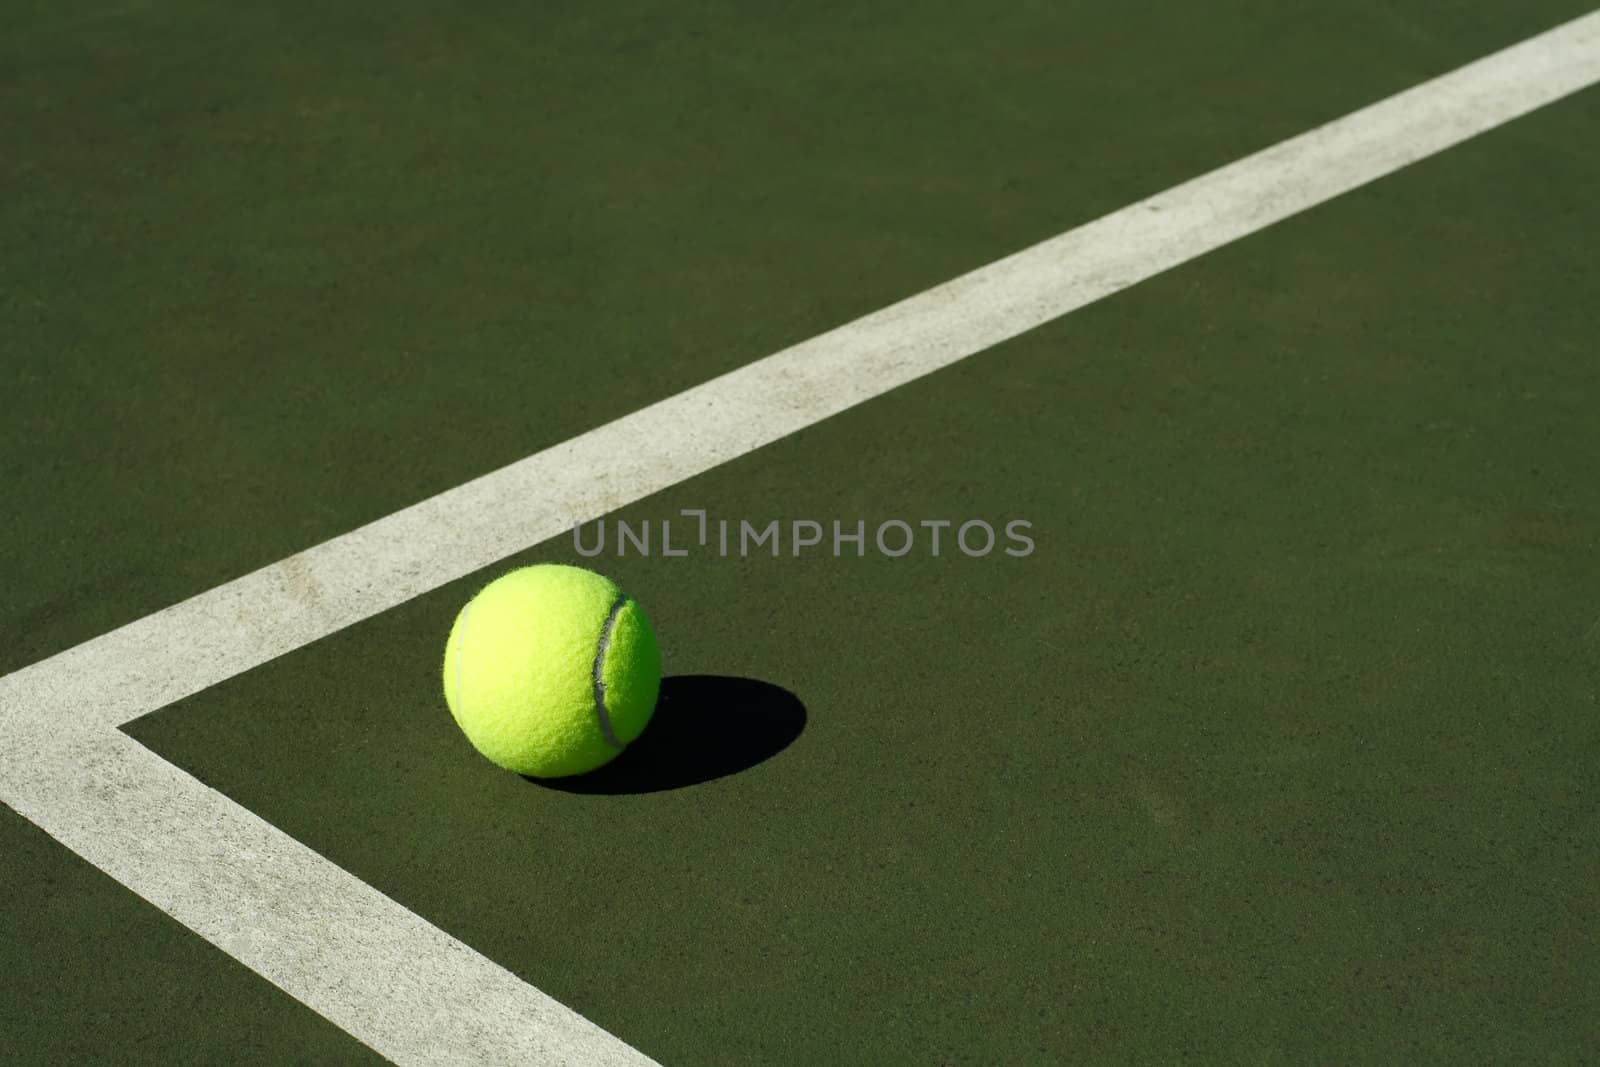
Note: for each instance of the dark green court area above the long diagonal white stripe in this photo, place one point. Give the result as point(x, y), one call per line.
point(273, 274)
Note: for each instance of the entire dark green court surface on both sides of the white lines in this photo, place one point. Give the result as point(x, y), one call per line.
point(1282, 741)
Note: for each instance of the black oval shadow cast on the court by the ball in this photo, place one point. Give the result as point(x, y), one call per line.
point(706, 727)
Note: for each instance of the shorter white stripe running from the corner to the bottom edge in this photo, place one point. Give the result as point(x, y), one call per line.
point(375, 969)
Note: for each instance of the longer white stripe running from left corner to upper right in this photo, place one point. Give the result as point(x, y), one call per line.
point(324, 589)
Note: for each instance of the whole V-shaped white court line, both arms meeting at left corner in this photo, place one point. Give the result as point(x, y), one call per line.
point(366, 962)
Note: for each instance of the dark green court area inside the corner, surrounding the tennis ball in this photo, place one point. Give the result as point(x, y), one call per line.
point(1281, 748)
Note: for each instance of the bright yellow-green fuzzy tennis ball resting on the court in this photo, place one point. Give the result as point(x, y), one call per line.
point(551, 671)
